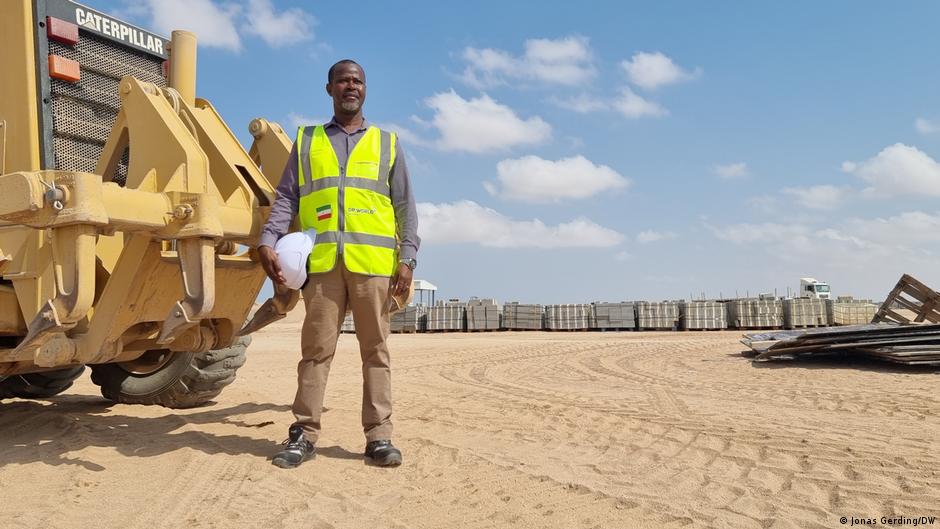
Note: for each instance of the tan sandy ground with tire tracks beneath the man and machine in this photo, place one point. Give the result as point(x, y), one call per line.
point(563, 430)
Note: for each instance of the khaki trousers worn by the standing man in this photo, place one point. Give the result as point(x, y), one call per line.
point(326, 297)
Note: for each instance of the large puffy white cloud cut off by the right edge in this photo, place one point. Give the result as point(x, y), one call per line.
point(898, 170)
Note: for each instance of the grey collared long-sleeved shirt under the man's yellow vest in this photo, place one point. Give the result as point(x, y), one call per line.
point(287, 199)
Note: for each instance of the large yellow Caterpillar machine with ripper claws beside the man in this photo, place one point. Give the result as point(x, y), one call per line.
point(129, 212)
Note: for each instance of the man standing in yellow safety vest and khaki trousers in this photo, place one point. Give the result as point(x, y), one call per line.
point(348, 180)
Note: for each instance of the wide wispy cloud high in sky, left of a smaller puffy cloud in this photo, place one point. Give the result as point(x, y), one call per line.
point(564, 61)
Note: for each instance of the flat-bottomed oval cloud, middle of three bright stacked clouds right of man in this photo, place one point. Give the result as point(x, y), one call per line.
point(536, 180)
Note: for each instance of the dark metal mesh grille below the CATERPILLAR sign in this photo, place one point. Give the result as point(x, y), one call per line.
point(84, 112)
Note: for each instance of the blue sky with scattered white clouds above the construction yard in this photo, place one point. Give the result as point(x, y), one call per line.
point(570, 152)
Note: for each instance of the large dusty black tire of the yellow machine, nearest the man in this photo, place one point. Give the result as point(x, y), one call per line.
point(187, 380)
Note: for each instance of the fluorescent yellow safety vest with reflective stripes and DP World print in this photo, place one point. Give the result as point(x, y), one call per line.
point(351, 206)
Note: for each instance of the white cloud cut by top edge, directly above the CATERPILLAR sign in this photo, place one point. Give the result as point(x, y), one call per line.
point(214, 25)
